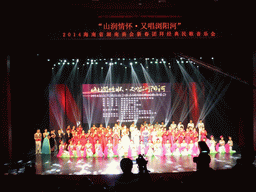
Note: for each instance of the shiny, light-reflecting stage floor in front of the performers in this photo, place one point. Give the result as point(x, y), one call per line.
point(51, 165)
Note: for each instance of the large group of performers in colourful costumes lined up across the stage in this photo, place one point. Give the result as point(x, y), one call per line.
point(150, 140)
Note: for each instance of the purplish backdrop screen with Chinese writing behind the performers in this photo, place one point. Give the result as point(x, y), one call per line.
point(125, 102)
